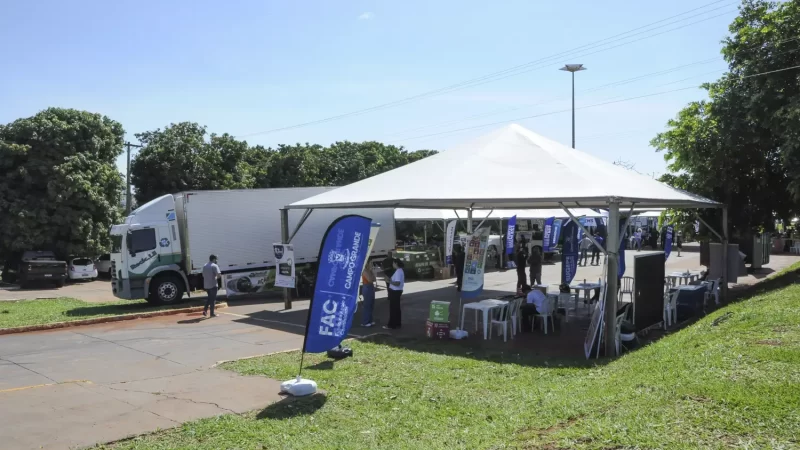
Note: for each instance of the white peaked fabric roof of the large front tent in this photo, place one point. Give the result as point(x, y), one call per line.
point(536, 172)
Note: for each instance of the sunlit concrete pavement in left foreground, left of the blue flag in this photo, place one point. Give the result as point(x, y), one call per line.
point(77, 387)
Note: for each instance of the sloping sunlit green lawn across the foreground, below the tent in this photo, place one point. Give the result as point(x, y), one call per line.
point(731, 380)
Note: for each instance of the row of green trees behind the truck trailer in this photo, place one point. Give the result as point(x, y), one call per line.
point(181, 157)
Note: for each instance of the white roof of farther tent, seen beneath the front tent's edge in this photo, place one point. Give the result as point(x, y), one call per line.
point(448, 214)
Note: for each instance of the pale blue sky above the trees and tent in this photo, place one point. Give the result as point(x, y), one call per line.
point(244, 67)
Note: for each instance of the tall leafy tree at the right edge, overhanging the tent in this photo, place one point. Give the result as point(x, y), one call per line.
point(742, 145)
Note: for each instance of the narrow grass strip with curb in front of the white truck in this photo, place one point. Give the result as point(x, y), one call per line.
point(38, 312)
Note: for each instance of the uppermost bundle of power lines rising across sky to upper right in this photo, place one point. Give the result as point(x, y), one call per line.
point(492, 76)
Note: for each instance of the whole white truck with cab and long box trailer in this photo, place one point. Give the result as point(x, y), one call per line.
point(159, 251)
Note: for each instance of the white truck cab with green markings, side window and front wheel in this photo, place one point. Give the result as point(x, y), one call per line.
point(146, 257)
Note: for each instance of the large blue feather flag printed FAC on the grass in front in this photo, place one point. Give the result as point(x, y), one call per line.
point(342, 255)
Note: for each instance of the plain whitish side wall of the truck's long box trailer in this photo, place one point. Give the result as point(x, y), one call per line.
point(240, 226)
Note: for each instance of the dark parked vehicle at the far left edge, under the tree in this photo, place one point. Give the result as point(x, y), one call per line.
point(32, 266)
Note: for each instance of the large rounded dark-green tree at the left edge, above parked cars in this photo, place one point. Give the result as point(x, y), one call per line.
point(59, 185)
